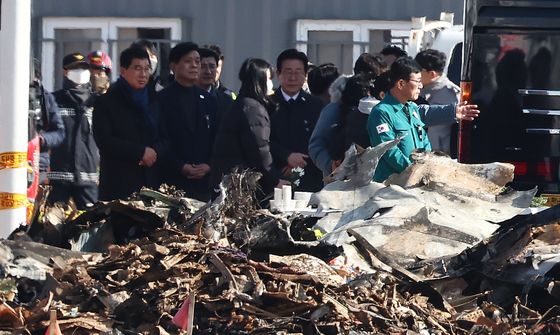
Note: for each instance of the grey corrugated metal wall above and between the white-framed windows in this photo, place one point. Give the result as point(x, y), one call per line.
point(259, 28)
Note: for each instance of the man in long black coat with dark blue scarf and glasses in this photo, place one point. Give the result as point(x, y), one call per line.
point(128, 130)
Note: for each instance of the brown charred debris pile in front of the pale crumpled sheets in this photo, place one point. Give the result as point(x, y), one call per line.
point(139, 287)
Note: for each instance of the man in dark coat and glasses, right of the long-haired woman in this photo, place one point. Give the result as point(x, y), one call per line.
point(293, 122)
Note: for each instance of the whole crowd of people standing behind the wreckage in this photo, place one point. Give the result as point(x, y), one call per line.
point(105, 141)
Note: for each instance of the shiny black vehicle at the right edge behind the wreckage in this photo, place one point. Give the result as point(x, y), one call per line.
point(511, 64)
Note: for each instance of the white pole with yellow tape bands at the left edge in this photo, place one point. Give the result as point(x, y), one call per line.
point(15, 40)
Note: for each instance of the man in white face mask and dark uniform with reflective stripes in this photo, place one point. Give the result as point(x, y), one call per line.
point(73, 165)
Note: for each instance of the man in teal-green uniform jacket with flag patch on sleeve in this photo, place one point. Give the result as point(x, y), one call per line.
point(396, 116)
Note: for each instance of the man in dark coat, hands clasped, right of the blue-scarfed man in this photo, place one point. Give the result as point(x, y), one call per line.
point(191, 121)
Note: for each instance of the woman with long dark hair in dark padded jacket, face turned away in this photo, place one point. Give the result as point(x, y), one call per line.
point(243, 139)
